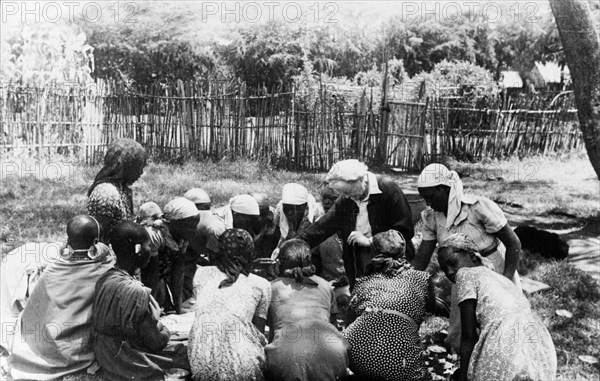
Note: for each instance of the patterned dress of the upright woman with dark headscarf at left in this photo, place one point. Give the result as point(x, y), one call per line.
point(111, 202)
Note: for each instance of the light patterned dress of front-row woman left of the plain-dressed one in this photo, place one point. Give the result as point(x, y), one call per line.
point(224, 344)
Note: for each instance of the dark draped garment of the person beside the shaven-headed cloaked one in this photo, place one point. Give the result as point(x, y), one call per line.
point(128, 339)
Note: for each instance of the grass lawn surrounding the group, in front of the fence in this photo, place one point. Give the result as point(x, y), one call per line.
point(35, 205)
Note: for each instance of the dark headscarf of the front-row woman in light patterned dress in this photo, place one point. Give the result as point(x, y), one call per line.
point(235, 256)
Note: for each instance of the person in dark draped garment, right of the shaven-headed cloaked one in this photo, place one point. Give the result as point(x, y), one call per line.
point(128, 335)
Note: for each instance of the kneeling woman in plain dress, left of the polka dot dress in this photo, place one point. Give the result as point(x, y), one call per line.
point(306, 346)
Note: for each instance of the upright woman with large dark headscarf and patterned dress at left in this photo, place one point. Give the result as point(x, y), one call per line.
point(110, 199)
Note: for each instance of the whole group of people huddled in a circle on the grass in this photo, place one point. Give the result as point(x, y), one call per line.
point(265, 288)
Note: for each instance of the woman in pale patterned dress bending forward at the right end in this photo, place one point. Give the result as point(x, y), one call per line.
point(513, 344)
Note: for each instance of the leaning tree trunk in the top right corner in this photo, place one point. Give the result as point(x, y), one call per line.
point(582, 52)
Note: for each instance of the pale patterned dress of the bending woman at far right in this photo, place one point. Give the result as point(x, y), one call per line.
point(513, 342)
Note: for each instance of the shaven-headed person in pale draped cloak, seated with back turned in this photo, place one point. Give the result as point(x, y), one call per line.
point(55, 328)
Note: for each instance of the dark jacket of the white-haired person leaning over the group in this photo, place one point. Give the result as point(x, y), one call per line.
point(387, 210)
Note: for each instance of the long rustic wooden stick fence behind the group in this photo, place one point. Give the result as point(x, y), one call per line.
point(225, 119)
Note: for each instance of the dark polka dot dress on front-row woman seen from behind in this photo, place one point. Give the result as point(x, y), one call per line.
point(385, 346)
